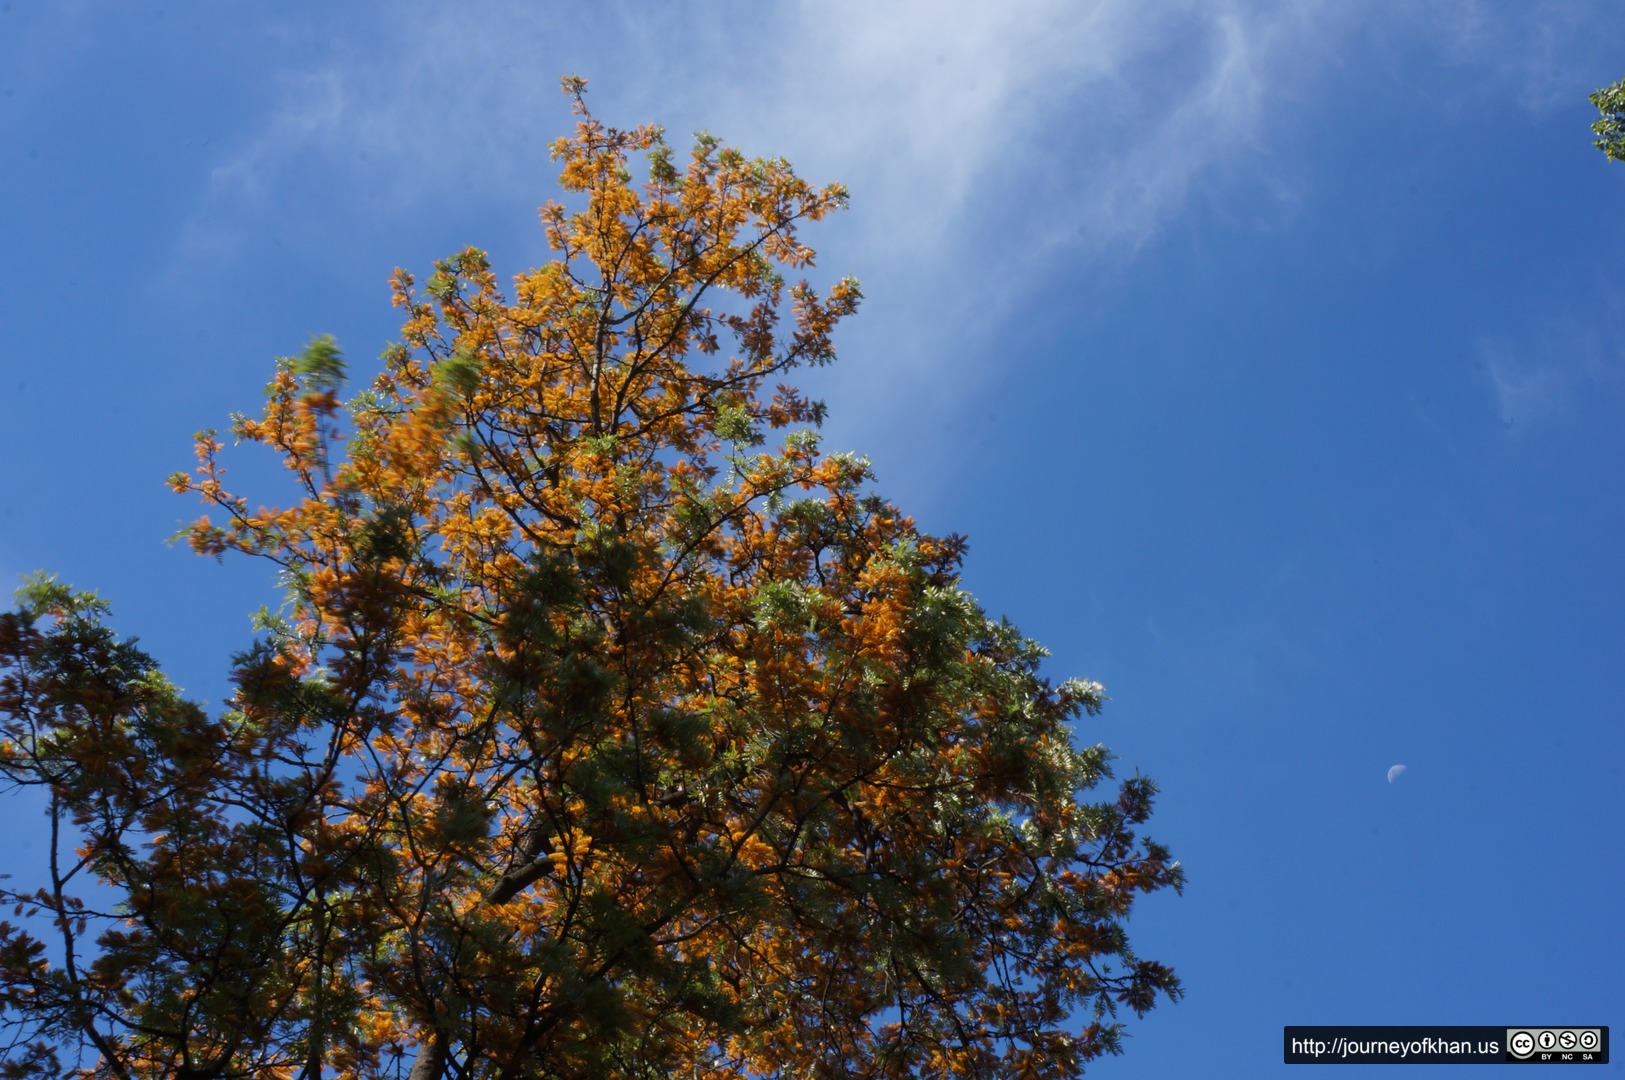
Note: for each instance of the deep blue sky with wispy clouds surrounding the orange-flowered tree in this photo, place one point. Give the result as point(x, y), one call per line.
point(1270, 356)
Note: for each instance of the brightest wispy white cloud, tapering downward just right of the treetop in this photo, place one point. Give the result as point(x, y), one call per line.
point(994, 150)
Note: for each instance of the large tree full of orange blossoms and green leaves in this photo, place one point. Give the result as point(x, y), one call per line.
point(600, 738)
